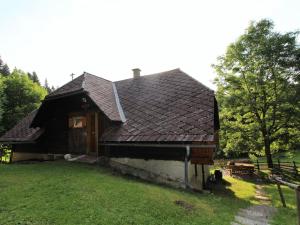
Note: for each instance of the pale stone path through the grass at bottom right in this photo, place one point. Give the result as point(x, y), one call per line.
point(256, 214)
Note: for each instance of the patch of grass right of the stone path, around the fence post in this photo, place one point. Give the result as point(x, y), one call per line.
point(283, 214)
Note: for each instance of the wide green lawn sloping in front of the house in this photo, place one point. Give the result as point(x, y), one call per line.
point(70, 193)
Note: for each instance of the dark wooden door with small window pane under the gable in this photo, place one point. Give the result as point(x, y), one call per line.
point(77, 134)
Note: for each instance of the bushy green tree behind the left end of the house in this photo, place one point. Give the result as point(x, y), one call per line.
point(22, 96)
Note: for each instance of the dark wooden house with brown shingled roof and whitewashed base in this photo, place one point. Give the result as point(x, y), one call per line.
point(162, 127)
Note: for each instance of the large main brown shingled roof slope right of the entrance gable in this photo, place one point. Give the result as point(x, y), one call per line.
point(164, 107)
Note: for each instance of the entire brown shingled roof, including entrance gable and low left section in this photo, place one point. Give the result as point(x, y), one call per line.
point(163, 107)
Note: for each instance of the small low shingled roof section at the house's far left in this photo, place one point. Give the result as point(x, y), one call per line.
point(22, 131)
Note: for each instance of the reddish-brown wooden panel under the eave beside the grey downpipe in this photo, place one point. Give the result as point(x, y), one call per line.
point(202, 156)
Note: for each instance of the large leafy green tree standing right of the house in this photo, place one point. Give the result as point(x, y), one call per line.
point(258, 81)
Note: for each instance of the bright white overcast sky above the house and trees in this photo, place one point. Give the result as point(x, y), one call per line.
point(109, 38)
